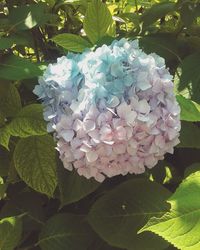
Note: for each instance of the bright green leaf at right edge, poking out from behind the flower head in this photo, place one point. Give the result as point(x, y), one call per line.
point(190, 111)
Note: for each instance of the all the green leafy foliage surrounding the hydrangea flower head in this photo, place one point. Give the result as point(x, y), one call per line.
point(42, 205)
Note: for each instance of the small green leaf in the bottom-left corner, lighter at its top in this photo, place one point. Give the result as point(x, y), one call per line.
point(10, 232)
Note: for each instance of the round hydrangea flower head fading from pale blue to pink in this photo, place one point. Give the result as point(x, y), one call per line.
point(113, 110)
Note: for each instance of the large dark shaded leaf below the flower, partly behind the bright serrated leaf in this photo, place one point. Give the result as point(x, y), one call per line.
point(118, 215)
